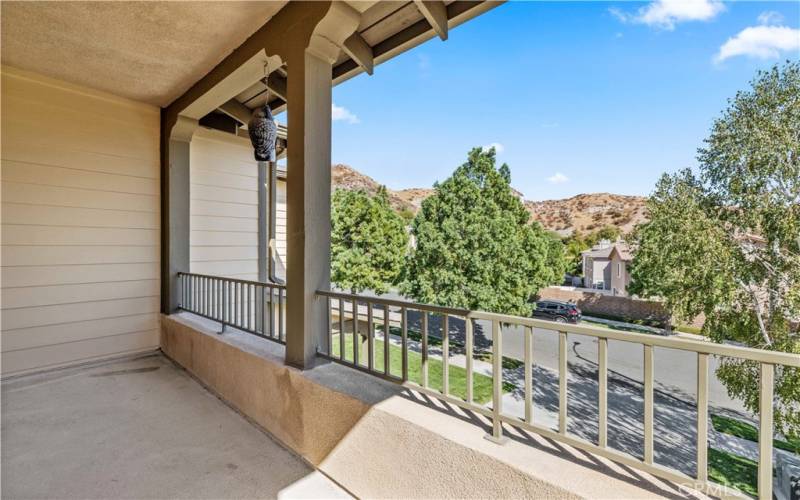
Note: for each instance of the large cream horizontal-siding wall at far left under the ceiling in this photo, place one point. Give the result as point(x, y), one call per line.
point(80, 224)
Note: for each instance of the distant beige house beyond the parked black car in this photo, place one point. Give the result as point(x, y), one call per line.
point(605, 267)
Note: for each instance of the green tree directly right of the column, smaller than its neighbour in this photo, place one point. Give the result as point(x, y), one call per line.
point(368, 241)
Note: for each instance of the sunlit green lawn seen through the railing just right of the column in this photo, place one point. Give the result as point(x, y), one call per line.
point(482, 384)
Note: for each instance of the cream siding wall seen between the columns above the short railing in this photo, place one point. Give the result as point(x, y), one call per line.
point(224, 206)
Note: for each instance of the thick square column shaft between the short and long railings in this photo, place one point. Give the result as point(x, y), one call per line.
point(308, 202)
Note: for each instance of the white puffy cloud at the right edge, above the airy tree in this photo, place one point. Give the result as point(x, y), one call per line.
point(762, 42)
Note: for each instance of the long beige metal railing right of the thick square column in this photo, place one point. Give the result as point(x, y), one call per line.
point(360, 311)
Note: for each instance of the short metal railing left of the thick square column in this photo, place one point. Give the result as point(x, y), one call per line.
point(251, 306)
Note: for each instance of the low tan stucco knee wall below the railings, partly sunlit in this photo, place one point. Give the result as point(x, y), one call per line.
point(332, 418)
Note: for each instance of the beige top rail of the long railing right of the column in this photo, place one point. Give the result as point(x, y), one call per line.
point(684, 344)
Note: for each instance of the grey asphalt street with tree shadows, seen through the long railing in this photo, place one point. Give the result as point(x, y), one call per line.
point(675, 413)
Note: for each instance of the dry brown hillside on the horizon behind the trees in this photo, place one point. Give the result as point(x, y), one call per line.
point(584, 212)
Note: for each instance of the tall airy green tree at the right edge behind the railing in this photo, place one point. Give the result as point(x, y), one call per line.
point(727, 243)
